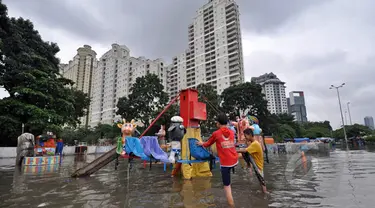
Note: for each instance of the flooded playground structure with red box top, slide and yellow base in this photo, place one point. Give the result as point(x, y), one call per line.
point(191, 111)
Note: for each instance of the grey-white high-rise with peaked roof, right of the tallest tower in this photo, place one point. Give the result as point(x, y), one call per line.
point(274, 90)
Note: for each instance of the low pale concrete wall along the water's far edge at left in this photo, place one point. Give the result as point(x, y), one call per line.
point(10, 152)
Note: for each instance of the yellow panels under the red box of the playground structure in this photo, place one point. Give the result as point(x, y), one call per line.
point(196, 169)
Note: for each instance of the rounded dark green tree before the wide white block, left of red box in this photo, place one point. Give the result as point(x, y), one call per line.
point(146, 100)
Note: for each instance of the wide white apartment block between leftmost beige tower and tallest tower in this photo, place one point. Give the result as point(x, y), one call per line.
point(116, 73)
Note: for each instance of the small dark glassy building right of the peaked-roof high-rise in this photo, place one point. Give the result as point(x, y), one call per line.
point(297, 106)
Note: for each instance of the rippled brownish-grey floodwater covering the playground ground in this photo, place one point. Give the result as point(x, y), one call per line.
point(340, 179)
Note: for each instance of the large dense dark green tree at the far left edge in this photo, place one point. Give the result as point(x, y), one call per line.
point(29, 72)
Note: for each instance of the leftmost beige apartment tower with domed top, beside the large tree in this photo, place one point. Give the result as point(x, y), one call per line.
point(80, 71)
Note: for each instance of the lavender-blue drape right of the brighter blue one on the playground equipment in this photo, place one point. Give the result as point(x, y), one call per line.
point(152, 148)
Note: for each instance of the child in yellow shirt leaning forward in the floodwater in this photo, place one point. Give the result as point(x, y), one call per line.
point(256, 153)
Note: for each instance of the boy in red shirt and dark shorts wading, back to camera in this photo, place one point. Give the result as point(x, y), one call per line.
point(224, 139)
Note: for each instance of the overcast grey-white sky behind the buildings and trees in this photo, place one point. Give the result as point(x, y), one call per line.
point(309, 44)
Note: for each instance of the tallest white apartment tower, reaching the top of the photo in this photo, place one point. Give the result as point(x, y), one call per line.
point(214, 54)
